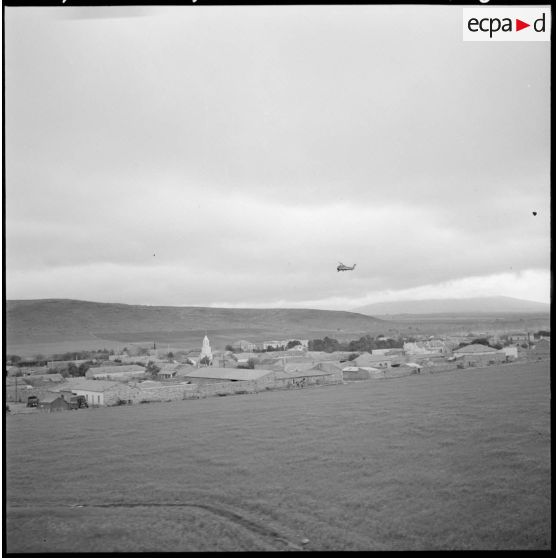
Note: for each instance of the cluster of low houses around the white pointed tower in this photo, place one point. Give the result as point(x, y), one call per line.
point(125, 379)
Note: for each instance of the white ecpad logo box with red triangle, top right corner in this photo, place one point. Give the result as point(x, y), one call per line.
point(506, 24)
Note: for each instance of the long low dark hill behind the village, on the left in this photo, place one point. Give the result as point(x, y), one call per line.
point(74, 324)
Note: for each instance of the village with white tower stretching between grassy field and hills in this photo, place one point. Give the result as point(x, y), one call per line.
point(139, 374)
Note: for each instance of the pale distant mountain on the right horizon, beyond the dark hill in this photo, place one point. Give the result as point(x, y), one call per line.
point(494, 304)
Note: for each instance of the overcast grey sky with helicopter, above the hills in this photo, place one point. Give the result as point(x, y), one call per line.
point(232, 156)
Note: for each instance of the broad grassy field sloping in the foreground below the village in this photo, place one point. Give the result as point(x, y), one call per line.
point(459, 460)
